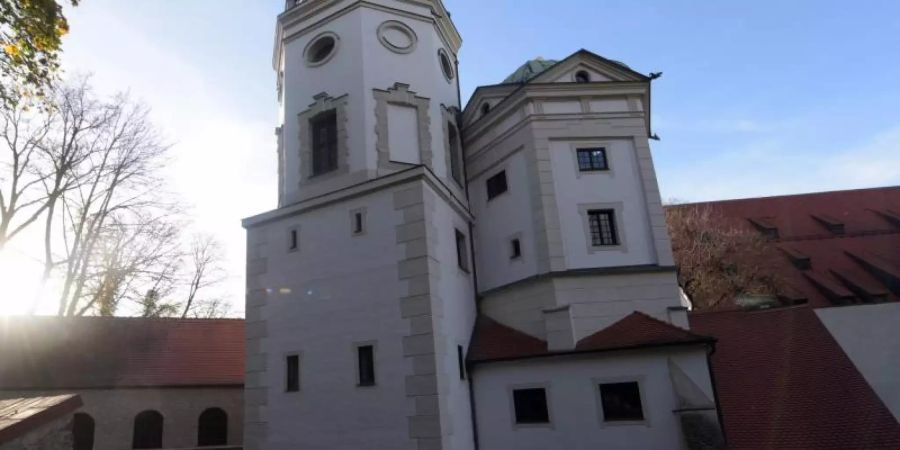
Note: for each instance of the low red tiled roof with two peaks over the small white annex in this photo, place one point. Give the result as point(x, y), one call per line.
point(493, 341)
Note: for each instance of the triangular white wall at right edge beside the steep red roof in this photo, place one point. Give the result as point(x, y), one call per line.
point(870, 336)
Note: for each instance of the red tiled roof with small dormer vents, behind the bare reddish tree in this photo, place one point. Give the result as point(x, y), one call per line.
point(839, 247)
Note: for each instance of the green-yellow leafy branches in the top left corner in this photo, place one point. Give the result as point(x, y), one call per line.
point(31, 33)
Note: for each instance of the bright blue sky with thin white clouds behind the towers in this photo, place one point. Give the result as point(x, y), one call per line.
point(757, 98)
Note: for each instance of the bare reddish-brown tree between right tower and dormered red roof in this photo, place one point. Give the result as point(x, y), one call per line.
point(719, 259)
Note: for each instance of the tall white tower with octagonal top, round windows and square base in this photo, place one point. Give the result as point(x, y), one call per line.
point(360, 292)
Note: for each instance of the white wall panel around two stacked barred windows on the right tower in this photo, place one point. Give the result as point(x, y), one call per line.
point(621, 185)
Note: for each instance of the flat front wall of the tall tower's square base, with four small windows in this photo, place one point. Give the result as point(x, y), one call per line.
point(337, 290)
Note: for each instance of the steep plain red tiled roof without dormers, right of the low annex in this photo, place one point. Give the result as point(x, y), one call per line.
point(783, 382)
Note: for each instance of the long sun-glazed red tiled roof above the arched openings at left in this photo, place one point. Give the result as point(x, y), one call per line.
point(105, 352)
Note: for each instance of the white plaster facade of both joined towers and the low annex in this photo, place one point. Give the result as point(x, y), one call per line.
point(434, 252)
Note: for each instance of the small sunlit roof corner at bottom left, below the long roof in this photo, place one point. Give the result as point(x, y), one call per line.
point(20, 416)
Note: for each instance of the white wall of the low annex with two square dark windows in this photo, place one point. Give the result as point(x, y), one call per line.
point(574, 403)
